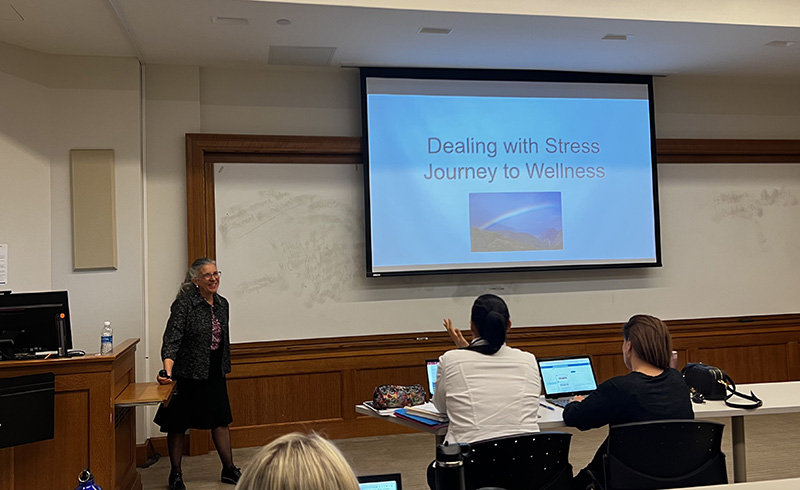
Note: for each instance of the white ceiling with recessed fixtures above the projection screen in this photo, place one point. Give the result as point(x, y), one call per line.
point(239, 33)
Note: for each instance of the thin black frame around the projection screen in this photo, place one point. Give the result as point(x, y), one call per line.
point(366, 73)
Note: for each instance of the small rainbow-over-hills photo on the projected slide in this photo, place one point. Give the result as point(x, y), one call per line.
point(514, 221)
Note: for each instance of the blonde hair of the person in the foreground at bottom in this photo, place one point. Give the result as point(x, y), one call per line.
point(298, 461)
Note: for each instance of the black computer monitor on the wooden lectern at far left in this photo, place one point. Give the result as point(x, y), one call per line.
point(28, 321)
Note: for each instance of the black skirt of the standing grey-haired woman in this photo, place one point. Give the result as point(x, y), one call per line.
point(198, 403)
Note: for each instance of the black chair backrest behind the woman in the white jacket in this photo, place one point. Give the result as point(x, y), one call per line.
point(534, 461)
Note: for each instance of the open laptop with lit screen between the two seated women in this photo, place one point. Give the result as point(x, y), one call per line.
point(566, 376)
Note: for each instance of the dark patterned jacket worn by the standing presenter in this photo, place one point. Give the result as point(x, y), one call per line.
point(187, 338)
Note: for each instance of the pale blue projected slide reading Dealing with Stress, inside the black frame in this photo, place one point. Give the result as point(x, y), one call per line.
point(508, 174)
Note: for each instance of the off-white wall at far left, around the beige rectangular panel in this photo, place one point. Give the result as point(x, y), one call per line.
point(50, 105)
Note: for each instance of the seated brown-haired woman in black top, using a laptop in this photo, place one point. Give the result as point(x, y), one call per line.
point(651, 391)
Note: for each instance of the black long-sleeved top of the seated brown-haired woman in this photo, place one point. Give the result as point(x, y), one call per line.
point(635, 397)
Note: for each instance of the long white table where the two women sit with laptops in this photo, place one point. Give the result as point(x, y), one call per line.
point(782, 397)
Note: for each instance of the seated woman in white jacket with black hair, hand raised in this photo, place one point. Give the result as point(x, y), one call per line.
point(486, 388)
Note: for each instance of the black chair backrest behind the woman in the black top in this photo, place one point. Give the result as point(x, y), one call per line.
point(665, 454)
